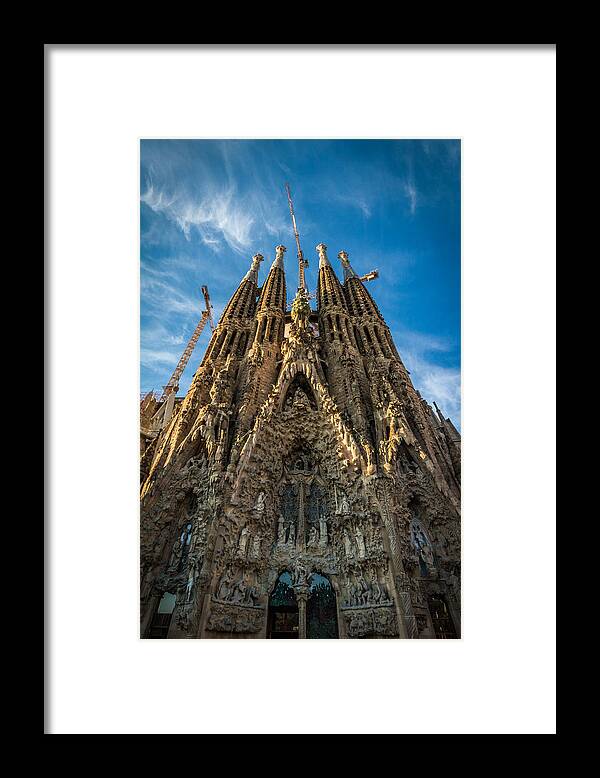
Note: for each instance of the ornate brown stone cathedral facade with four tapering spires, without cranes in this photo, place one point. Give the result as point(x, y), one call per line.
point(303, 488)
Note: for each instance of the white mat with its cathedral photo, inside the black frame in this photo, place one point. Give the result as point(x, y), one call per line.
point(301, 324)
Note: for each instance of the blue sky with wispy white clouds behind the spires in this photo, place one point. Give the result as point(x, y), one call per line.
point(208, 206)
